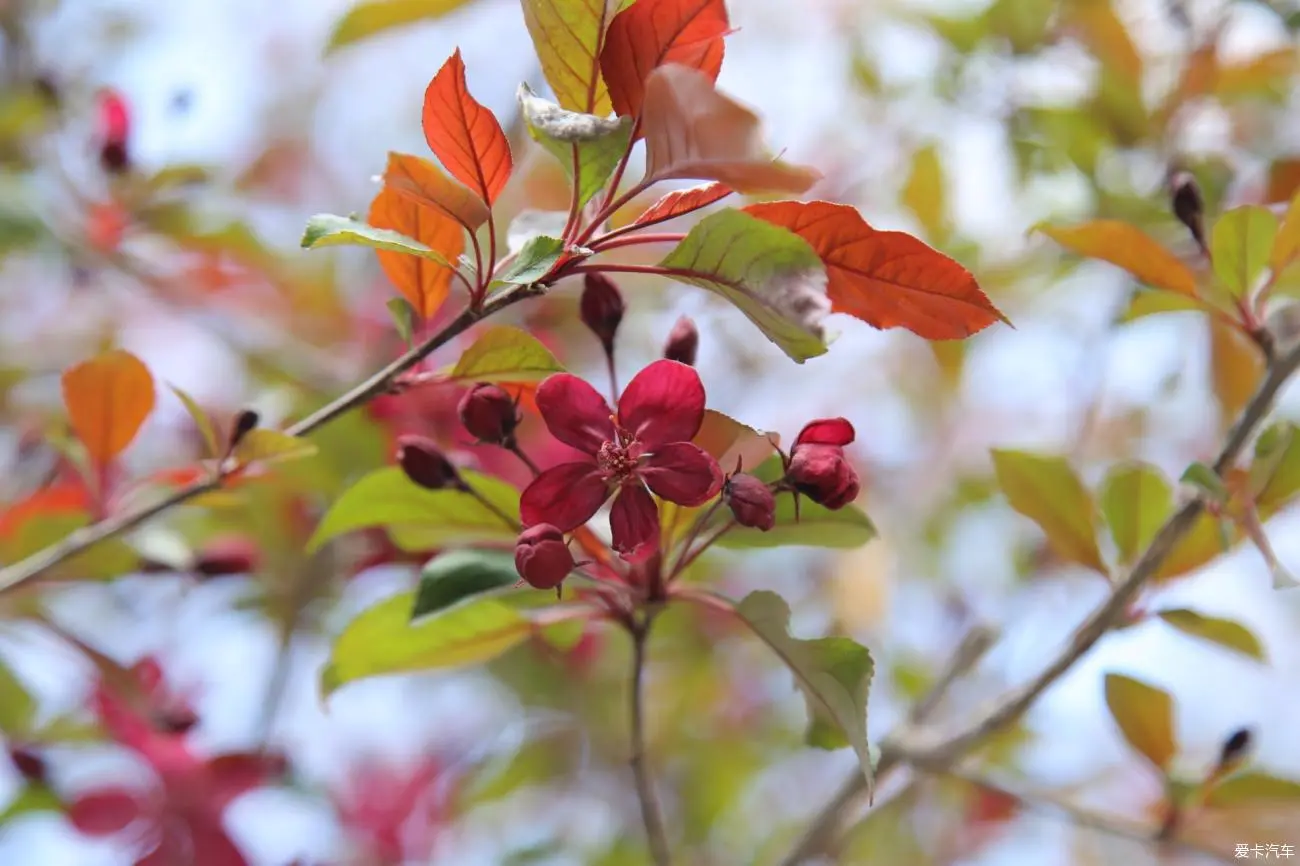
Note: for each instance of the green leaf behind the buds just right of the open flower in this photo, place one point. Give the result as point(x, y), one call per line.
point(816, 527)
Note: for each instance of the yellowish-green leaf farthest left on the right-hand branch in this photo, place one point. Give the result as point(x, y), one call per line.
point(1047, 491)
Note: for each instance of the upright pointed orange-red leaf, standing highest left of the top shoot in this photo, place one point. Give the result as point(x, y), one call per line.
point(465, 136)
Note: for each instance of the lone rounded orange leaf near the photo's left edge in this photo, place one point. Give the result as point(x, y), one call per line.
point(109, 400)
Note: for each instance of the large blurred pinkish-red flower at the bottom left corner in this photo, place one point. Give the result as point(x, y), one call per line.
point(180, 821)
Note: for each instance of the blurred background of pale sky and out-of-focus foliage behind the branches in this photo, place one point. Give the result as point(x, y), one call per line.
point(964, 123)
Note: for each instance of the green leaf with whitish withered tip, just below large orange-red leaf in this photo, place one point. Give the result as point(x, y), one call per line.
point(770, 274)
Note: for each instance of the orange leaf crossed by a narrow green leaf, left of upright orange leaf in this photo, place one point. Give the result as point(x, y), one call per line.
point(422, 282)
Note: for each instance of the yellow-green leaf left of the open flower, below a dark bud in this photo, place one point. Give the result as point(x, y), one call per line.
point(421, 519)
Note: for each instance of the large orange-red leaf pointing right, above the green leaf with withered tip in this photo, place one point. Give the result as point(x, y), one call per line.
point(886, 279)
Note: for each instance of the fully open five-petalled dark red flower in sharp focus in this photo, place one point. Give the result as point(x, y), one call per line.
point(647, 445)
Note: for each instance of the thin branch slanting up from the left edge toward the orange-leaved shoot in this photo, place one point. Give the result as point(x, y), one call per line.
point(84, 539)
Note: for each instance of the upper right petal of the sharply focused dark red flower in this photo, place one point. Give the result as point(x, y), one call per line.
point(664, 404)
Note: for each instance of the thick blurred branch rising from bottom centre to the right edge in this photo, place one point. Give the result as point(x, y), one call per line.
point(937, 750)
